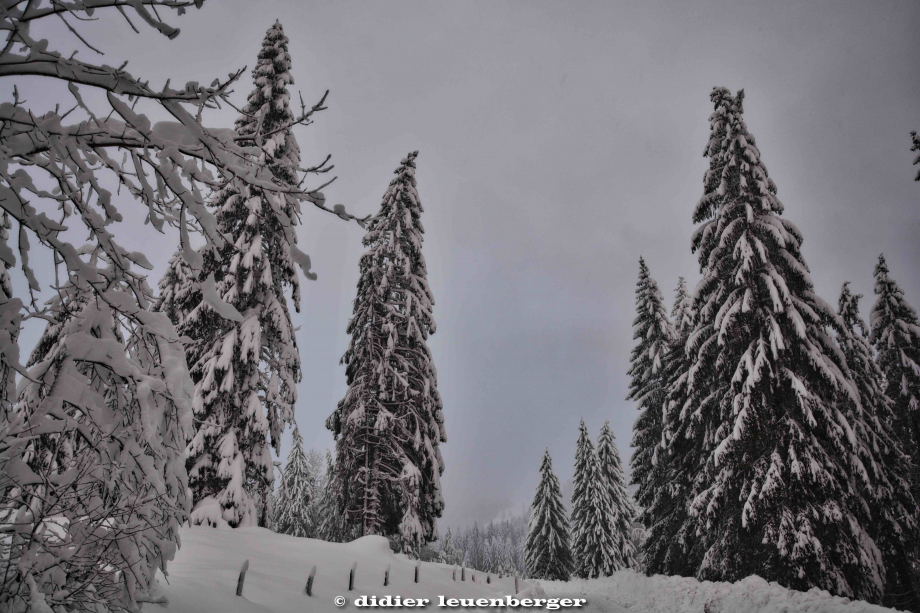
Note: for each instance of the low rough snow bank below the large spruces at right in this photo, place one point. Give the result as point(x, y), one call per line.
point(628, 590)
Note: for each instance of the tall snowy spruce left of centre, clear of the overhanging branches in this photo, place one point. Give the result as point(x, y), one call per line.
point(390, 423)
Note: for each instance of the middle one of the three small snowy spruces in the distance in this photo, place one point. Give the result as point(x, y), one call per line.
point(593, 546)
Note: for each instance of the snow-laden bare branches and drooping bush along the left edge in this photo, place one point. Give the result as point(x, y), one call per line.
point(92, 444)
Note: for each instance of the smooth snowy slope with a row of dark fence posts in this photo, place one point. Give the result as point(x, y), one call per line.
point(202, 578)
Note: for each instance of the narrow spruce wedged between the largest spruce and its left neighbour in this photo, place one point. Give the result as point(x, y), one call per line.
point(665, 550)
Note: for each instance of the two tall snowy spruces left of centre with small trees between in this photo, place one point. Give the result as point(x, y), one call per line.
point(232, 308)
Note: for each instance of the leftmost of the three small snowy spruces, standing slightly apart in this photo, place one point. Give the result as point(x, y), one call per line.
point(547, 552)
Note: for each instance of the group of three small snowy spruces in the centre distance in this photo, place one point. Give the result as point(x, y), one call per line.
point(596, 540)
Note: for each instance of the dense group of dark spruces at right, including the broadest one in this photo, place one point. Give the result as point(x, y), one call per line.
point(777, 436)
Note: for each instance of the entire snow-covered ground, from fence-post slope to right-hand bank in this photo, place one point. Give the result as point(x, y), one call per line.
point(202, 579)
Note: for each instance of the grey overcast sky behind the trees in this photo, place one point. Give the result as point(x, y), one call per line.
point(559, 141)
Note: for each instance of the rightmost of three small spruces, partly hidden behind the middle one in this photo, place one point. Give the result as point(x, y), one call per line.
point(623, 511)
